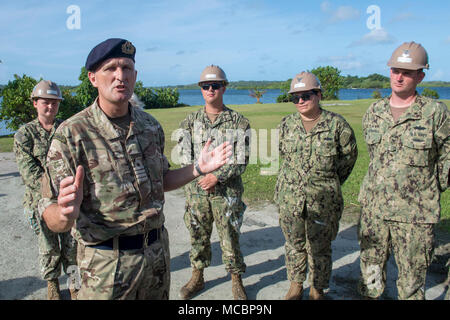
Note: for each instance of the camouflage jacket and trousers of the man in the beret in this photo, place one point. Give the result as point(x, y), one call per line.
point(123, 196)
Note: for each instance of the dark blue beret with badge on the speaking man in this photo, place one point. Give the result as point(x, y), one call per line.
point(111, 48)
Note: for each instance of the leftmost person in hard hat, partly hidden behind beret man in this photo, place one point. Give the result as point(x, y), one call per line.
point(31, 143)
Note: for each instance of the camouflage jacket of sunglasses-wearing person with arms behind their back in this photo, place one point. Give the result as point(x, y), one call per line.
point(315, 164)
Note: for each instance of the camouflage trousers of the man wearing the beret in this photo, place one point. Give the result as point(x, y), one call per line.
point(140, 274)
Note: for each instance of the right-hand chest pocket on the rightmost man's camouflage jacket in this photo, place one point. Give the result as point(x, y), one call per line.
point(416, 149)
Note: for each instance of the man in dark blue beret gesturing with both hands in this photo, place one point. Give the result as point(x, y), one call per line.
point(105, 180)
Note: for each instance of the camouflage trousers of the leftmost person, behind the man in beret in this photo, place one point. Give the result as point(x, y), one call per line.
point(56, 251)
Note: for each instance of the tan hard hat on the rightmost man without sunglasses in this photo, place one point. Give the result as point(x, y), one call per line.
point(410, 56)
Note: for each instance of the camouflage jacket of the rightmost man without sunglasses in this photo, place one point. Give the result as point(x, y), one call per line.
point(409, 161)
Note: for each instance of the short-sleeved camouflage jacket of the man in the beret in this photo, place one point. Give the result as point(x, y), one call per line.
point(124, 171)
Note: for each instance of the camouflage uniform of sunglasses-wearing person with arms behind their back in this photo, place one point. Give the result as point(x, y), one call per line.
point(308, 191)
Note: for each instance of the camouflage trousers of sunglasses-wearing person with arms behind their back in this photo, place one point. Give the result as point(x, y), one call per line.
point(308, 244)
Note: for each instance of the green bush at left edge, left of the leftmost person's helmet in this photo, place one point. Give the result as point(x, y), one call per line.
point(16, 107)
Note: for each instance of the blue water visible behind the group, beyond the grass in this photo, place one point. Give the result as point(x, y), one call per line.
point(232, 96)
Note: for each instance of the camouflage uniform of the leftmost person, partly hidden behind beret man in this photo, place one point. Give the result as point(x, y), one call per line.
point(31, 143)
